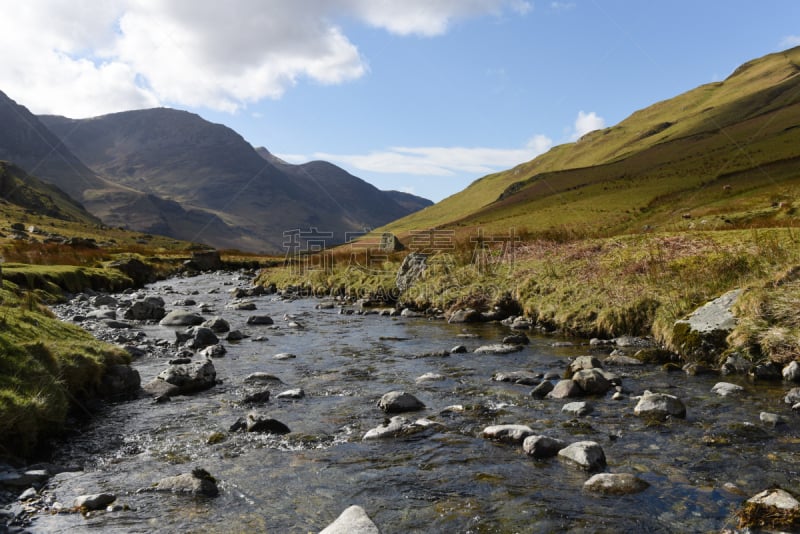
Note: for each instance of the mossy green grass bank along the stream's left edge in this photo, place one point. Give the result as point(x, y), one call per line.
point(49, 368)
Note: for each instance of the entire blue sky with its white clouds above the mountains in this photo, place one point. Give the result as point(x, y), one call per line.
point(422, 96)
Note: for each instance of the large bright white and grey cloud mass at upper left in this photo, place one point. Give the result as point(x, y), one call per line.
point(89, 58)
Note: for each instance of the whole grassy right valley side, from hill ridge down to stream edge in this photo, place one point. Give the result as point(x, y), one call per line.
point(630, 228)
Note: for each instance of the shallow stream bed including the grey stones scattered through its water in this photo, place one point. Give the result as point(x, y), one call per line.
point(293, 425)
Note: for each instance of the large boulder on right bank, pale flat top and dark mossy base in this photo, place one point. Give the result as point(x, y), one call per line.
point(702, 336)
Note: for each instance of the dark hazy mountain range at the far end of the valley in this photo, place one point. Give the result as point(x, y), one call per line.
point(232, 195)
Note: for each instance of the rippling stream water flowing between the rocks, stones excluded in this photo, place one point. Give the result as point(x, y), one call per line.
point(446, 479)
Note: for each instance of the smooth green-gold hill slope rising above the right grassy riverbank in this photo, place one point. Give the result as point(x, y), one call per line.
point(723, 155)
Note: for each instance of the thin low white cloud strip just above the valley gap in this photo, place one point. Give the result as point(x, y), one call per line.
point(441, 161)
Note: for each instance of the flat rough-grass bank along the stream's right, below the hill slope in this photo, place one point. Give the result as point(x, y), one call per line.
point(628, 285)
